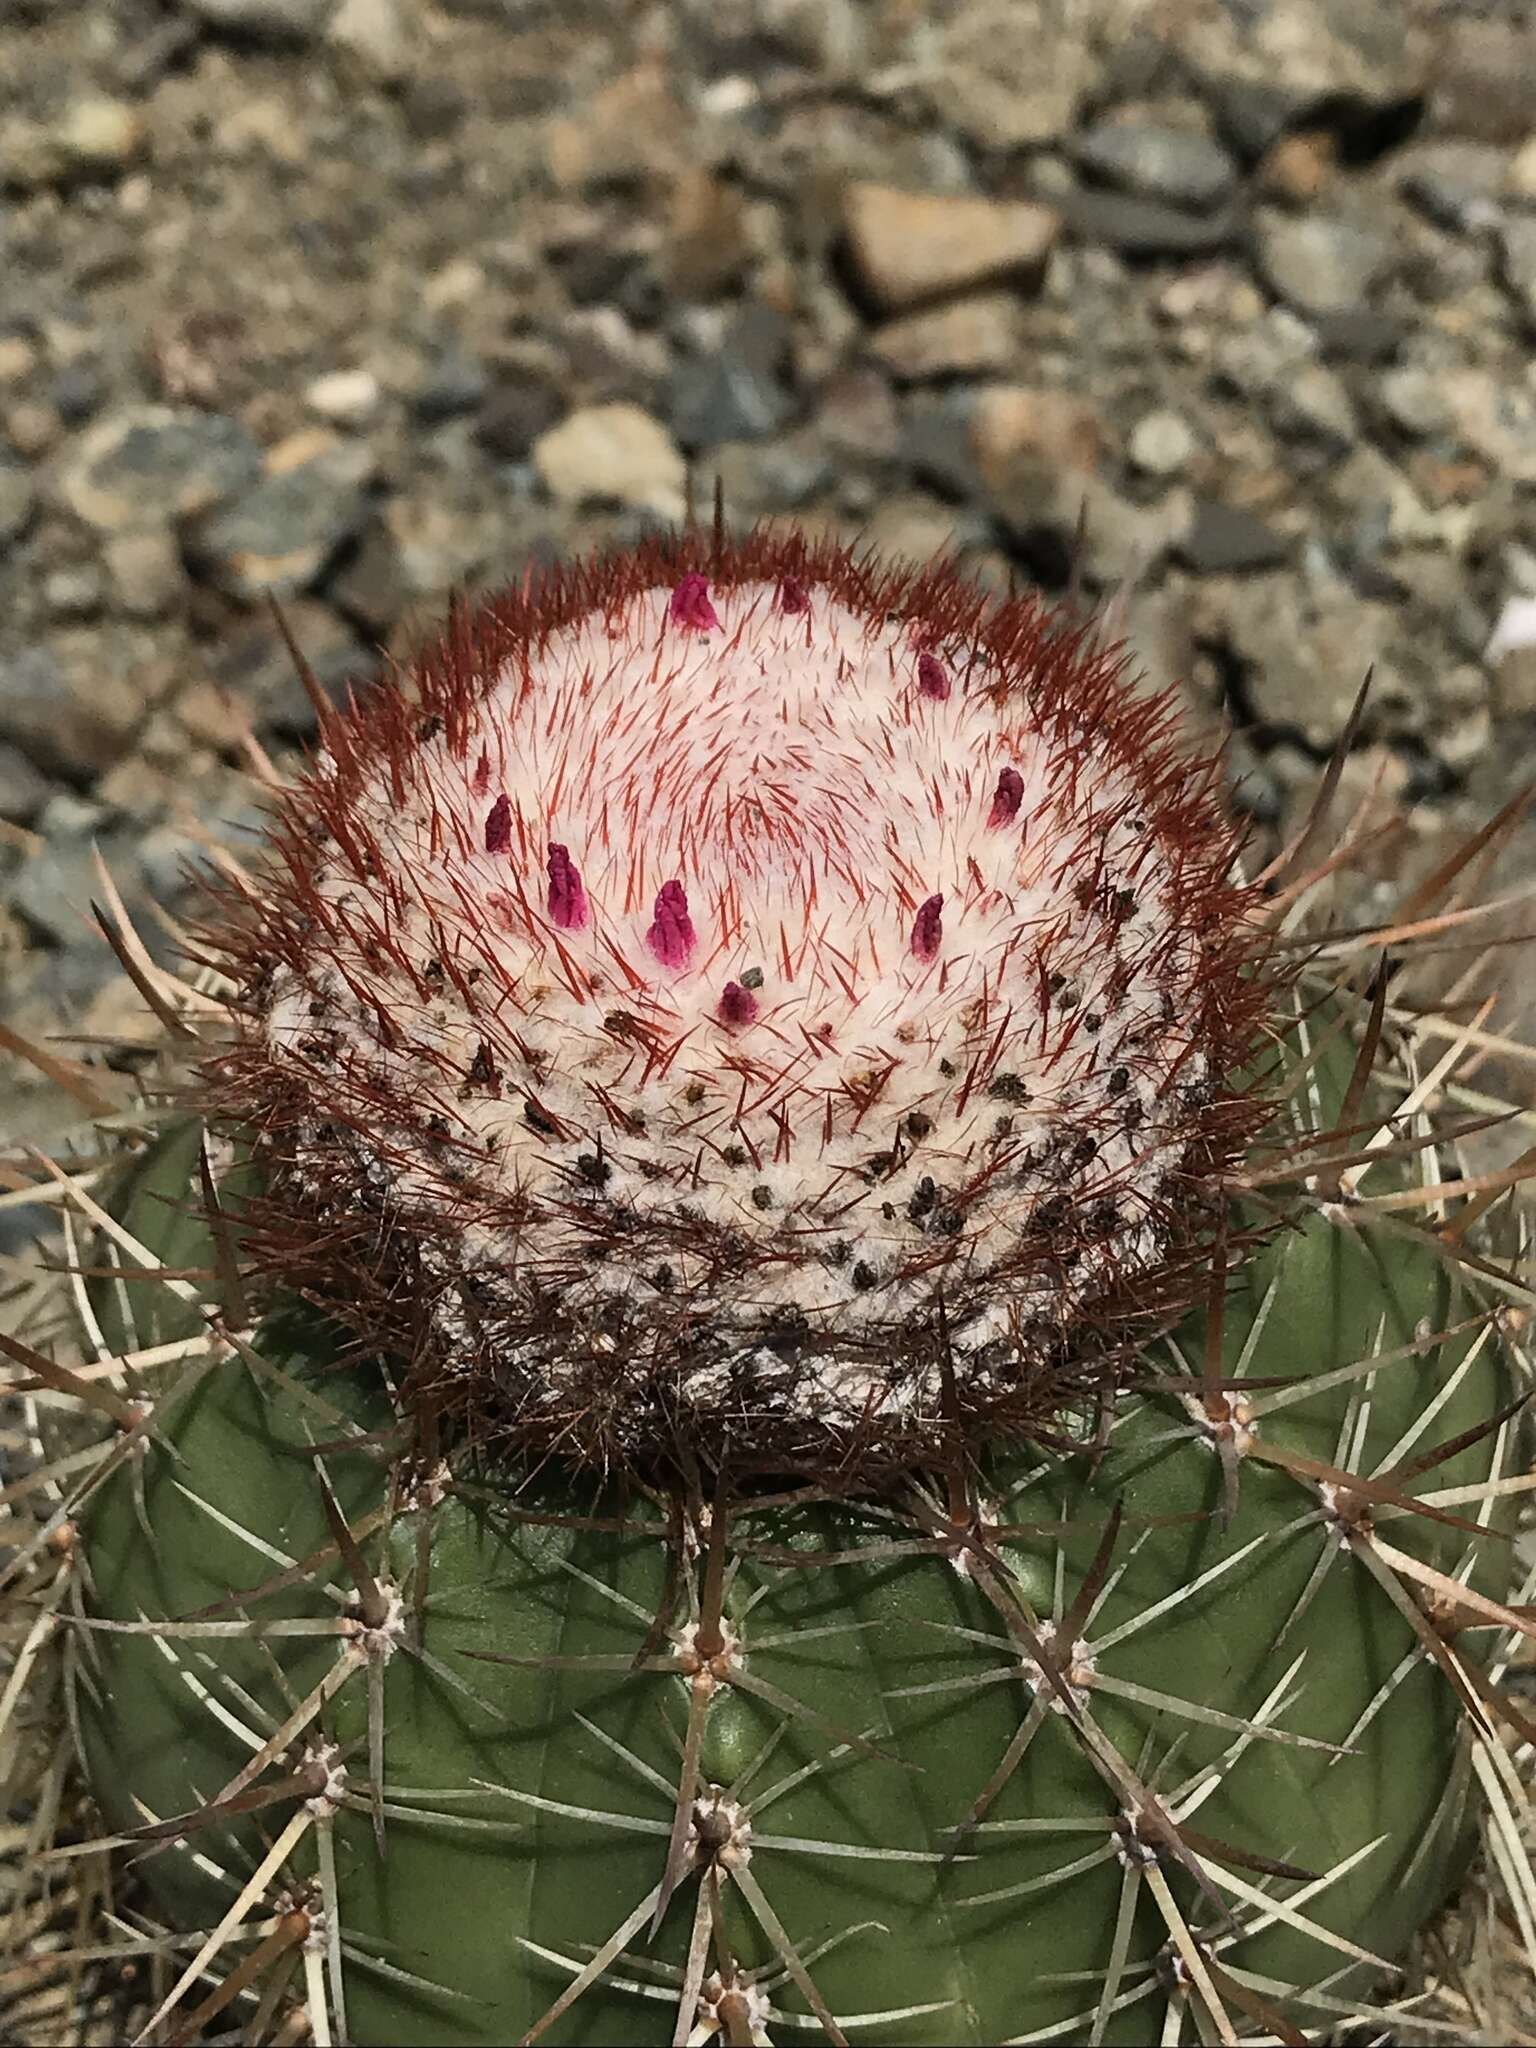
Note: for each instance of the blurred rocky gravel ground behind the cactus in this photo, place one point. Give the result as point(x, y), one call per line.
point(1226, 306)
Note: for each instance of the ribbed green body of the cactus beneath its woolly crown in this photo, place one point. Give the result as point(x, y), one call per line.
point(527, 1805)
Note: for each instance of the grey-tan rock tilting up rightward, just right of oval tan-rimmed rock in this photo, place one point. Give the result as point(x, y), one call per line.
point(282, 536)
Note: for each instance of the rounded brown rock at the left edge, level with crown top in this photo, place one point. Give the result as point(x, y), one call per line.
point(71, 712)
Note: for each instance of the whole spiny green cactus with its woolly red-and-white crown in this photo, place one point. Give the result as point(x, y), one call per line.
point(798, 1385)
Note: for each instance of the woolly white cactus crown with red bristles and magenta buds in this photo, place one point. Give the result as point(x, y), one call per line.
point(751, 998)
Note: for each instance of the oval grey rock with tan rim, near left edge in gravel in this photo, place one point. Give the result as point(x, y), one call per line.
point(155, 462)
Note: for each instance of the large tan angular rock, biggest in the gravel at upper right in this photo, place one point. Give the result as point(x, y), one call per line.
point(908, 249)
